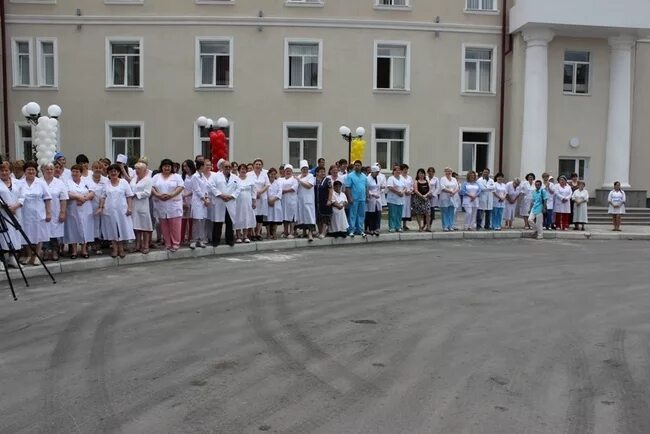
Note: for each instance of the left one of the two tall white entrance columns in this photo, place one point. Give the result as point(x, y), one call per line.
point(535, 127)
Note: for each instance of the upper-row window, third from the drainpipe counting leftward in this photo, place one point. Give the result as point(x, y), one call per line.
point(303, 64)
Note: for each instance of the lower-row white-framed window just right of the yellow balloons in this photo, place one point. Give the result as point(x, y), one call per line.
point(389, 145)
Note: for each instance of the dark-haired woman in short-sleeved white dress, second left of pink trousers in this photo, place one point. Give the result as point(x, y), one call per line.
point(117, 207)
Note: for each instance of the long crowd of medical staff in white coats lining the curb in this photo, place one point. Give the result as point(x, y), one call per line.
point(91, 207)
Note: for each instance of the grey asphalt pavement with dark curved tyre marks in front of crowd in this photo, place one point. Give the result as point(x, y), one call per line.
point(460, 336)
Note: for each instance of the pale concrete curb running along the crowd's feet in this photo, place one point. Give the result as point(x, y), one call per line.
point(99, 262)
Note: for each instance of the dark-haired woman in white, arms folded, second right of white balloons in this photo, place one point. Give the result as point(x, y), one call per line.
point(80, 222)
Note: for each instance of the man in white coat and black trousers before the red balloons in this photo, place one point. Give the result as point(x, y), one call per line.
point(224, 190)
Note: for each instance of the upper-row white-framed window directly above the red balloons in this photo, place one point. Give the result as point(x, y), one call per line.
point(214, 62)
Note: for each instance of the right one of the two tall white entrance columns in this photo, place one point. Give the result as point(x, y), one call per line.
point(619, 124)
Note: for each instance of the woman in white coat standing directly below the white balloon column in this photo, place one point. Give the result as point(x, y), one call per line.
point(59, 192)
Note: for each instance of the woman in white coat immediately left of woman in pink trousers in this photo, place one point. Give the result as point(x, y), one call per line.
point(142, 224)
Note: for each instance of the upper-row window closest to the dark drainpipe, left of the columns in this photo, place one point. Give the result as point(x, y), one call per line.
point(479, 73)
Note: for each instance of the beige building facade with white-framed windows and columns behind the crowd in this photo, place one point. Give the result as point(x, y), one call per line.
point(422, 77)
